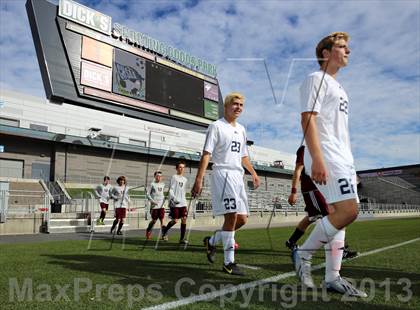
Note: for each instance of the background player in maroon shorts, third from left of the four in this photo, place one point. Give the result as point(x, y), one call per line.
point(156, 197)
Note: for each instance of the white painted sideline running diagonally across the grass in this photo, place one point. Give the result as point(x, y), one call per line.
point(244, 286)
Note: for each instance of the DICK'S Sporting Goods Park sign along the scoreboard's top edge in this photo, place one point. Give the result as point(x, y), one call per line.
point(103, 23)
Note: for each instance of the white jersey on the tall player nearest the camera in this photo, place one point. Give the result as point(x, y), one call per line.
point(332, 106)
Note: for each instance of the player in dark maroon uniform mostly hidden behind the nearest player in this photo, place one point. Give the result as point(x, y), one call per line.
point(315, 203)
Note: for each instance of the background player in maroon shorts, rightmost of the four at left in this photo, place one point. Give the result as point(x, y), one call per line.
point(177, 203)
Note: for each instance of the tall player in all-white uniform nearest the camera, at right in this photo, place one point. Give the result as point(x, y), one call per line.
point(328, 159)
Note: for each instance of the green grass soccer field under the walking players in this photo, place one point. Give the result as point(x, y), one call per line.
point(66, 275)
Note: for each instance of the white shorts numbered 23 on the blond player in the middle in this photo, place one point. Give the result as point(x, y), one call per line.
point(228, 192)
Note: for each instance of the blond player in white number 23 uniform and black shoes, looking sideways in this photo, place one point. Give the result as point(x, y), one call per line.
point(226, 144)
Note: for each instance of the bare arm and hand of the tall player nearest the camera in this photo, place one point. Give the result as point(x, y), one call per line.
point(319, 171)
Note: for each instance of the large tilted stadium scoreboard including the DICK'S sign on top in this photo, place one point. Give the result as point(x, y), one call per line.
point(87, 60)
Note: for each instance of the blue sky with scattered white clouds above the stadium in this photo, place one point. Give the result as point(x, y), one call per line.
point(382, 79)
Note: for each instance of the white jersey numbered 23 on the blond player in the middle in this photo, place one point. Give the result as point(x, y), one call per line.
point(227, 145)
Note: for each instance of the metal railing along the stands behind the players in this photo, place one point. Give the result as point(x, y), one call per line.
point(15, 202)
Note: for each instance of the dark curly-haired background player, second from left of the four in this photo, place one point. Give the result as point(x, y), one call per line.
point(121, 199)
